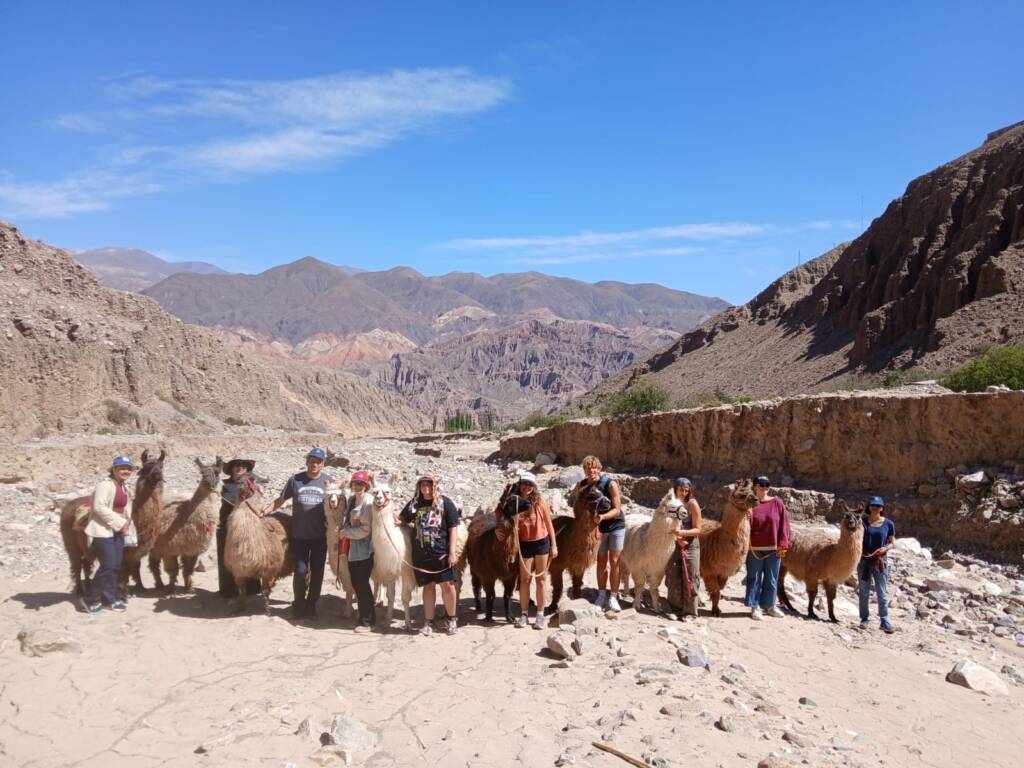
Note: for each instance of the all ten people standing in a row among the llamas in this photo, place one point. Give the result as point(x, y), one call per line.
point(435, 520)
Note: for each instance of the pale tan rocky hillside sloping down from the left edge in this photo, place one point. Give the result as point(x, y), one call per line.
point(75, 356)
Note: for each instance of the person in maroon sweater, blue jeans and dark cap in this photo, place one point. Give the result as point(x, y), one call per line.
point(770, 540)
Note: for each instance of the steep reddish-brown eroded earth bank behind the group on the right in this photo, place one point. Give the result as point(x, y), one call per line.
point(945, 462)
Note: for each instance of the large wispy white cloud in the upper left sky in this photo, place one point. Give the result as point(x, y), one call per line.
point(212, 130)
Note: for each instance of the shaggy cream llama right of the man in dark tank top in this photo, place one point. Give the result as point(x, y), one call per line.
point(649, 548)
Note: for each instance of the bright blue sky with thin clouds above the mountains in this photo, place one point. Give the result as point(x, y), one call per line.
point(704, 149)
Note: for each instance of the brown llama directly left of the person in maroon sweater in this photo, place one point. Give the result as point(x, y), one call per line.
point(723, 545)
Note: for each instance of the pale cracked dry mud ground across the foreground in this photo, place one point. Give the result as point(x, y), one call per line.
point(179, 675)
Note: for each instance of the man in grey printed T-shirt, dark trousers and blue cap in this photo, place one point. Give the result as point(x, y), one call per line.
point(308, 492)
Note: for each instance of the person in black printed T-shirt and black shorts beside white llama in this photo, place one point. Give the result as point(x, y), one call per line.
point(435, 520)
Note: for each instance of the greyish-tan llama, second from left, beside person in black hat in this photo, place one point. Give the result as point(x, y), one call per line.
point(186, 529)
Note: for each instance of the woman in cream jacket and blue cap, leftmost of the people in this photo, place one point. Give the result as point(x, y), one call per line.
point(109, 523)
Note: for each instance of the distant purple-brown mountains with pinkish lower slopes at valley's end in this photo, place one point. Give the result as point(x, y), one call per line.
point(504, 347)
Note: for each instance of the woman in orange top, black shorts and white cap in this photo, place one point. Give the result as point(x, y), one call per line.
point(537, 547)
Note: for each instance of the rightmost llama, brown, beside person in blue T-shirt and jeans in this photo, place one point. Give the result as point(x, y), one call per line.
point(817, 557)
